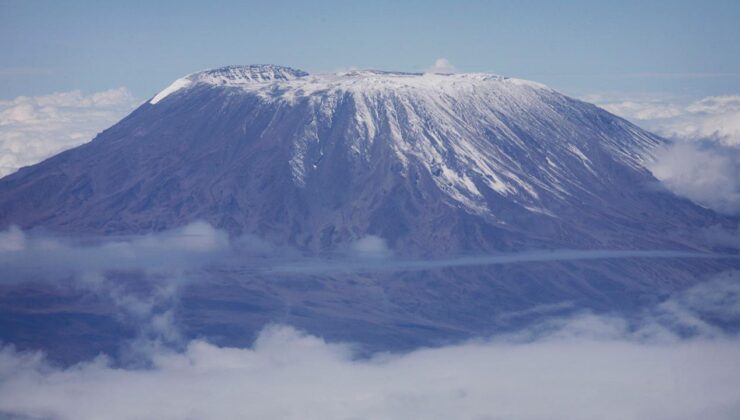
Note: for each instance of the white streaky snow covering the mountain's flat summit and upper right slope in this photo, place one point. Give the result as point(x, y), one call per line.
point(515, 137)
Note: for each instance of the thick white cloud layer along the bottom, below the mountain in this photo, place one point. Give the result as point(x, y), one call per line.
point(578, 368)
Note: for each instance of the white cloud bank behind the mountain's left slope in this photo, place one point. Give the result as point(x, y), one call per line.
point(35, 128)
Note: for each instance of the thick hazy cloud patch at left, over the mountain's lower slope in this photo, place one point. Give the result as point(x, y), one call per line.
point(25, 256)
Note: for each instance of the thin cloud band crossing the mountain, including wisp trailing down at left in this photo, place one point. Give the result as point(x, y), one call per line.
point(157, 266)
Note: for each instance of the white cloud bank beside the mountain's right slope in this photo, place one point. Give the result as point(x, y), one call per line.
point(703, 162)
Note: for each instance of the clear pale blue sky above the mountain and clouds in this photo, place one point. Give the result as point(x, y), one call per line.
point(579, 47)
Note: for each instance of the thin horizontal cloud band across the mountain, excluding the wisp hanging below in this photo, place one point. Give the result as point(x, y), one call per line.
point(38, 257)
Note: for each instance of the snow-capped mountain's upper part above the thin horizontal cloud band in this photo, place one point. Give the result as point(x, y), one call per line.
point(433, 163)
